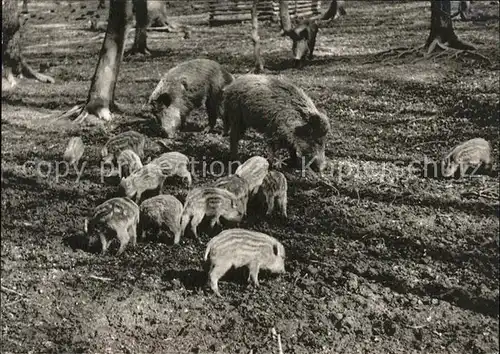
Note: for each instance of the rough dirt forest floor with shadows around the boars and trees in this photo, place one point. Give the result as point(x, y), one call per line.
point(379, 260)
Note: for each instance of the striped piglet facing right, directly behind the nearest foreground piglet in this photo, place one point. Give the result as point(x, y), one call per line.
point(212, 203)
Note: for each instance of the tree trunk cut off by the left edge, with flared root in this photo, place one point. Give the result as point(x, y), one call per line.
point(13, 63)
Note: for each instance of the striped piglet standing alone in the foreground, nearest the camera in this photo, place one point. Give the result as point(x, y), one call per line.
point(237, 248)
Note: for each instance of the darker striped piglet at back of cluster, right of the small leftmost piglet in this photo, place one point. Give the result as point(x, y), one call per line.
point(128, 140)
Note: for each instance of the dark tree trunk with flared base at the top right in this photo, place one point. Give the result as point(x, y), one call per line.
point(442, 33)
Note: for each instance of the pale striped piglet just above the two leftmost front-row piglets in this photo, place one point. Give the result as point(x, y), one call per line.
point(149, 177)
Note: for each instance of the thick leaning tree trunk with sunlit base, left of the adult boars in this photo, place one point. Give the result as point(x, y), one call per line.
point(102, 88)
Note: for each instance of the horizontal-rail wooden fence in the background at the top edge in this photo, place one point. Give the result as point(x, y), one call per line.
point(234, 11)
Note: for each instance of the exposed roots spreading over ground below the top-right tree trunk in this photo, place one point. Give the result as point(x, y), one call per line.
point(435, 52)
